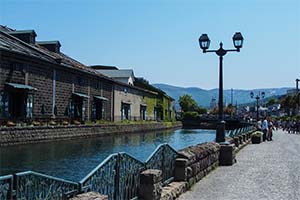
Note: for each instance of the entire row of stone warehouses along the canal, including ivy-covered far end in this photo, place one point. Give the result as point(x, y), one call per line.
point(38, 82)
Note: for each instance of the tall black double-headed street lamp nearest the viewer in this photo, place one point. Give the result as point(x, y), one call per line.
point(204, 43)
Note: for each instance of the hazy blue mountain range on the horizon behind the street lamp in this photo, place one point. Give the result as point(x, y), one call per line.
point(203, 97)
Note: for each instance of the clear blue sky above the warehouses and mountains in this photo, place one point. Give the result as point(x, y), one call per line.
point(158, 39)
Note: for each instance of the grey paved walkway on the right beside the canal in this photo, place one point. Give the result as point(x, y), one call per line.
point(270, 170)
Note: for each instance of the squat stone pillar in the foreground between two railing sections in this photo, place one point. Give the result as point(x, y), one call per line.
point(150, 184)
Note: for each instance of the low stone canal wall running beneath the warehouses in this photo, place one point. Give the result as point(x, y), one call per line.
point(24, 135)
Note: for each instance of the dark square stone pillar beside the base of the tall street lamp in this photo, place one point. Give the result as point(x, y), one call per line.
point(227, 156)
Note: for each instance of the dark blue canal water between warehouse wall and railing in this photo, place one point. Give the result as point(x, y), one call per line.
point(74, 159)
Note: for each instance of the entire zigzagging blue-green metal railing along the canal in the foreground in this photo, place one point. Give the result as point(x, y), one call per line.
point(118, 176)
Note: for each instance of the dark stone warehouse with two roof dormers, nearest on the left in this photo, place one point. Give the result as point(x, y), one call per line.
point(39, 81)
